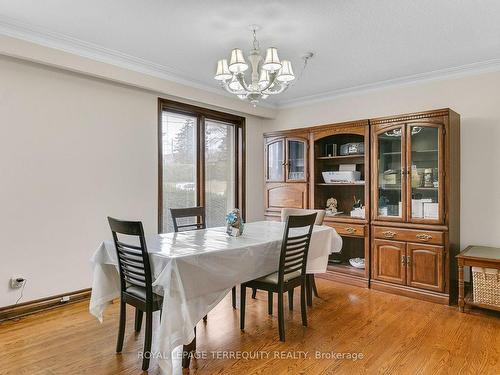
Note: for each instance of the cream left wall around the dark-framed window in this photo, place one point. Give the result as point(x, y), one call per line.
point(74, 149)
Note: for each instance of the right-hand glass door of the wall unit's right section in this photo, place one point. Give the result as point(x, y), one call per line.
point(424, 164)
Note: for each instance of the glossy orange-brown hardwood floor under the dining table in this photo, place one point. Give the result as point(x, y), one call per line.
point(395, 334)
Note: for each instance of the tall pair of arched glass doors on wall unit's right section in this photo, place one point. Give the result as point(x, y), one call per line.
point(408, 172)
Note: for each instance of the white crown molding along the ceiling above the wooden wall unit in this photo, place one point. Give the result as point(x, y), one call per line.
point(441, 74)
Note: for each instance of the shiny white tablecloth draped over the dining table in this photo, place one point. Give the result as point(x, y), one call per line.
point(195, 270)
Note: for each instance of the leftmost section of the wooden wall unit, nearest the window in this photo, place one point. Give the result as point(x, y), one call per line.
point(286, 172)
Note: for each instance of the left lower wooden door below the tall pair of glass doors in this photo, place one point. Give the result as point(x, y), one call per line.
point(389, 259)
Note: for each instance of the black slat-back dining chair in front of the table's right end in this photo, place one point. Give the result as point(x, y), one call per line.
point(291, 272)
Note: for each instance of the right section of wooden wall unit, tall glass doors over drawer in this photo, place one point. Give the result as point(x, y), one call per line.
point(416, 204)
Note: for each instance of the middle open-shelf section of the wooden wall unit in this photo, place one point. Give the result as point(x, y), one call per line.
point(339, 183)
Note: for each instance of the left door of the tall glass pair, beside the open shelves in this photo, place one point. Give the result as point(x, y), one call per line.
point(389, 203)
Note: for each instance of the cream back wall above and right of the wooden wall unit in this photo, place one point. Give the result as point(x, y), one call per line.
point(475, 98)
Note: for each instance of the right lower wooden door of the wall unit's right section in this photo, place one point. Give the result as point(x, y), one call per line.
point(425, 265)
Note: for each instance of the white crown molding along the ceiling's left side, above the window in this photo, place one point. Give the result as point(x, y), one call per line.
point(47, 38)
